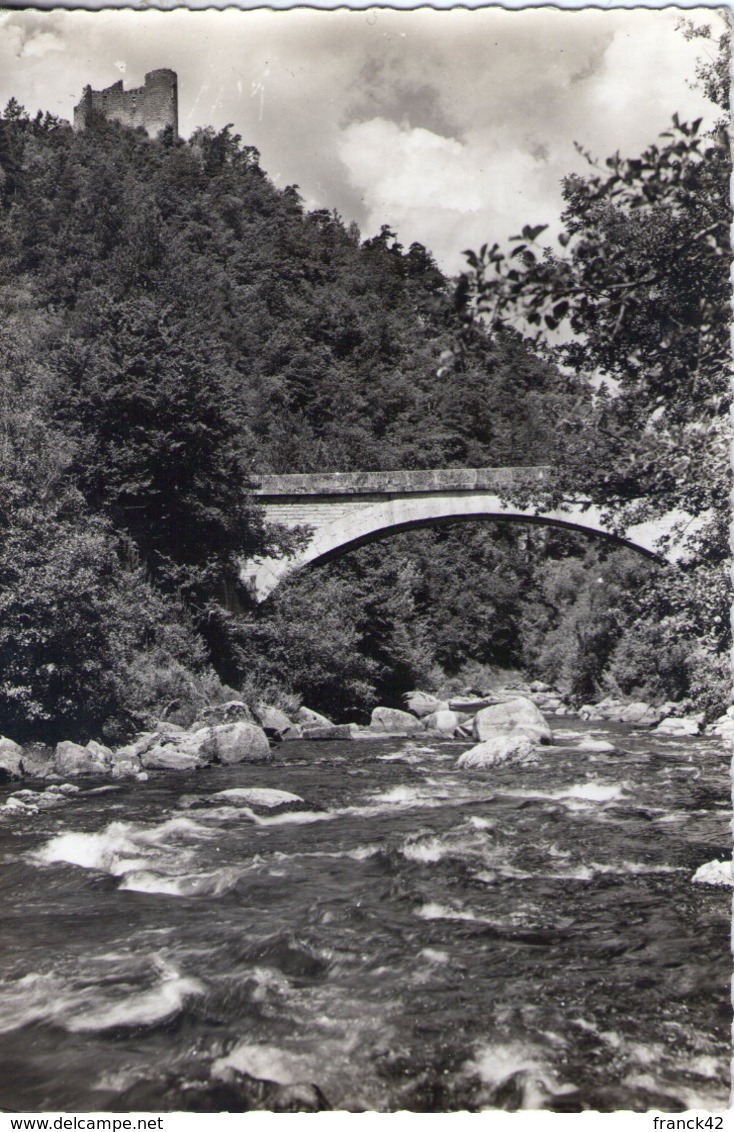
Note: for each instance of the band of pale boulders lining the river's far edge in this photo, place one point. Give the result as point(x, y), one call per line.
point(236, 732)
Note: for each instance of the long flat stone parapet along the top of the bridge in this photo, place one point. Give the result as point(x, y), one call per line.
point(396, 483)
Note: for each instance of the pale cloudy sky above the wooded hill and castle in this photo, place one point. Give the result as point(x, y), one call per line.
point(453, 127)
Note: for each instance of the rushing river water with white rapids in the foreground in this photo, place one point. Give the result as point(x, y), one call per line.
point(409, 936)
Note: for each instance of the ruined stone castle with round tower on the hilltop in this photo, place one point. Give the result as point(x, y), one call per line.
point(153, 106)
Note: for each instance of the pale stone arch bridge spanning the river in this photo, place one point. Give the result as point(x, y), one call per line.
point(349, 510)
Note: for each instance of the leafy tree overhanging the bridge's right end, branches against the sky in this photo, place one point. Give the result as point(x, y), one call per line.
point(639, 287)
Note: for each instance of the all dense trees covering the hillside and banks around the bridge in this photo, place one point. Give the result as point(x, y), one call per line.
point(174, 325)
